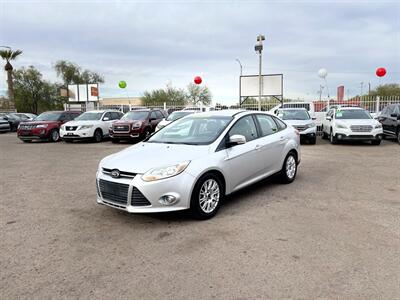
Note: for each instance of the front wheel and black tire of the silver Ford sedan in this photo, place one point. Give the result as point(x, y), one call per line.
point(199, 211)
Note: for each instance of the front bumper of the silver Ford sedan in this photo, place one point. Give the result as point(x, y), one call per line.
point(178, 186)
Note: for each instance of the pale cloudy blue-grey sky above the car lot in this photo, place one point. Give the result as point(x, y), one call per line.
point(152, 43)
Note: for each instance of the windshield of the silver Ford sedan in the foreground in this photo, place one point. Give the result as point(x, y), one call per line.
point(193, 130)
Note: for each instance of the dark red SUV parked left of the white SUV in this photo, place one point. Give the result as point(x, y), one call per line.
point(46, 126)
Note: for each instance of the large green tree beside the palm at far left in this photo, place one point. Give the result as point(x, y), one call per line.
point(32, 93)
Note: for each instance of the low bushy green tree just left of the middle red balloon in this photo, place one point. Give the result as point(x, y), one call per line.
point(169, 94)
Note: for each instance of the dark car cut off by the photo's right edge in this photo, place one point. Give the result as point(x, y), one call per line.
point(390, 120)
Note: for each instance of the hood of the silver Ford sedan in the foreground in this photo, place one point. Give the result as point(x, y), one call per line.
point(145, 156)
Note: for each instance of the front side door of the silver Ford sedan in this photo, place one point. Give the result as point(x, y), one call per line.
point(241, 161)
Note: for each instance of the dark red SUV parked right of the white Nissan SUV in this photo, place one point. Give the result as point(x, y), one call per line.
point(136, 124)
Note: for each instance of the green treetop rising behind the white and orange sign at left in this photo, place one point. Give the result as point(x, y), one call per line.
point(71, 73)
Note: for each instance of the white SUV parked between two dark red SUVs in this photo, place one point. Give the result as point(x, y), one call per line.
point(90, 125)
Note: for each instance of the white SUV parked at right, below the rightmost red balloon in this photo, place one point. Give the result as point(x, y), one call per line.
point(351, 123)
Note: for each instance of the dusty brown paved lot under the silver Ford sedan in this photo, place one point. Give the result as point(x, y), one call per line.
point(333, 233)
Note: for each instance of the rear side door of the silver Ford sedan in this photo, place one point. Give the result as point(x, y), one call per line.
point(272, 142)
